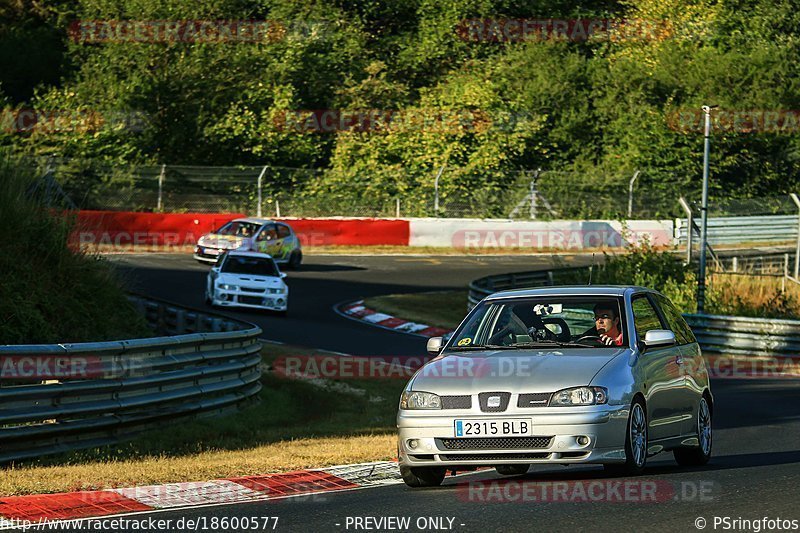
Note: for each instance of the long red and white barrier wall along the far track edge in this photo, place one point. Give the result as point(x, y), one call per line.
point(177, 229)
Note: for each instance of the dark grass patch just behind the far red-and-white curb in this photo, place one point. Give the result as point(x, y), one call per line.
point(444, 309)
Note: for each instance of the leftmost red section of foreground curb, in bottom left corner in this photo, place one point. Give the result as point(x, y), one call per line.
point(68, 505)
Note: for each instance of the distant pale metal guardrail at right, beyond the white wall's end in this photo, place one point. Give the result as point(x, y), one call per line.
point(733, 230)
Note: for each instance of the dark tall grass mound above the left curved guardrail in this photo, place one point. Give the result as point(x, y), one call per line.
point(49, 292)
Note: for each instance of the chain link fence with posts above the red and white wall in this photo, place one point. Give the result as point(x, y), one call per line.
point(277, 191)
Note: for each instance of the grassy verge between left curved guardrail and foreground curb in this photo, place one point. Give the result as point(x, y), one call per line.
point(297, 424)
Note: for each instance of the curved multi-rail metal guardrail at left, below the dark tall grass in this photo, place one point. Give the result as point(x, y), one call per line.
point(55, 398)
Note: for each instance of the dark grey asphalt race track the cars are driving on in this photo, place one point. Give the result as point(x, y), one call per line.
point(754, 474)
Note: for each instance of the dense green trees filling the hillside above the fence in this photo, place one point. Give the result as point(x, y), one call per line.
point(601, 108)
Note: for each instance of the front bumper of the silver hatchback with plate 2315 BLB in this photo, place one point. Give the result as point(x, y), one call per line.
point(604, 425)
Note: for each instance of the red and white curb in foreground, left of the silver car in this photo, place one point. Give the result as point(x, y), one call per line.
point(85, 504)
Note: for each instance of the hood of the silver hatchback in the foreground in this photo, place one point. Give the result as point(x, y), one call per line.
point(512, 371)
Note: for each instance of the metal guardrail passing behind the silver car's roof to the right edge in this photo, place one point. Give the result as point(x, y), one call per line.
point(717, 335)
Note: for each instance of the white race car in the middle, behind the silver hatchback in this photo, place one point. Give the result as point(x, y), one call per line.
point(247, 279)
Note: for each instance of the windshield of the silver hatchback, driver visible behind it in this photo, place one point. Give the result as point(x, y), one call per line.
point(575, 321)
